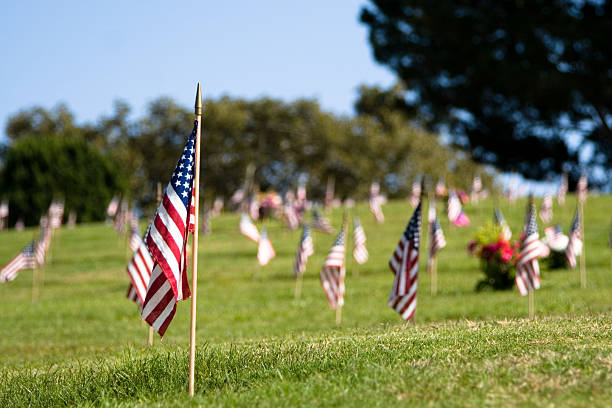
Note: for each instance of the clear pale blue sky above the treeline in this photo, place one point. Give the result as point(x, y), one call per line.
point(88, 54)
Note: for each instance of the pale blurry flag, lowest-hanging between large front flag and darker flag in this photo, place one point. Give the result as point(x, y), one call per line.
point(333, 273)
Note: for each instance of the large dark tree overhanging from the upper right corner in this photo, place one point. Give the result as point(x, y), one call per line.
point(508, 80)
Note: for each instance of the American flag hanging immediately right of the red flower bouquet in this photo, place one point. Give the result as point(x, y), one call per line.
point(527, 268)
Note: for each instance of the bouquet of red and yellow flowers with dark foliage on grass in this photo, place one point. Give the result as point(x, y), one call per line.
point(498, 257)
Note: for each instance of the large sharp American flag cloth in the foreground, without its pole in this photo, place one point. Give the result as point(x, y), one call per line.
point(167, 241)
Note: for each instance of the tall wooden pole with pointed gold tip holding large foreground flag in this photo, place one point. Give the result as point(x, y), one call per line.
point(194, 269)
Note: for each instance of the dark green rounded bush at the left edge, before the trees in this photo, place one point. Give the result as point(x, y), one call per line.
point(40, 169)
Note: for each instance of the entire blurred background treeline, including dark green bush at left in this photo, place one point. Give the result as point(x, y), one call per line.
point(50, 156)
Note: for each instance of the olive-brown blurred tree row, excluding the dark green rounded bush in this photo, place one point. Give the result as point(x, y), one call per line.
point(282, 140)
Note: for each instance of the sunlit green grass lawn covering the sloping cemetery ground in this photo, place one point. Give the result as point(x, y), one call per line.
point(82, 342)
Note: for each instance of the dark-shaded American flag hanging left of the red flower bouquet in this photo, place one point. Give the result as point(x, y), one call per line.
point(404, 264)
